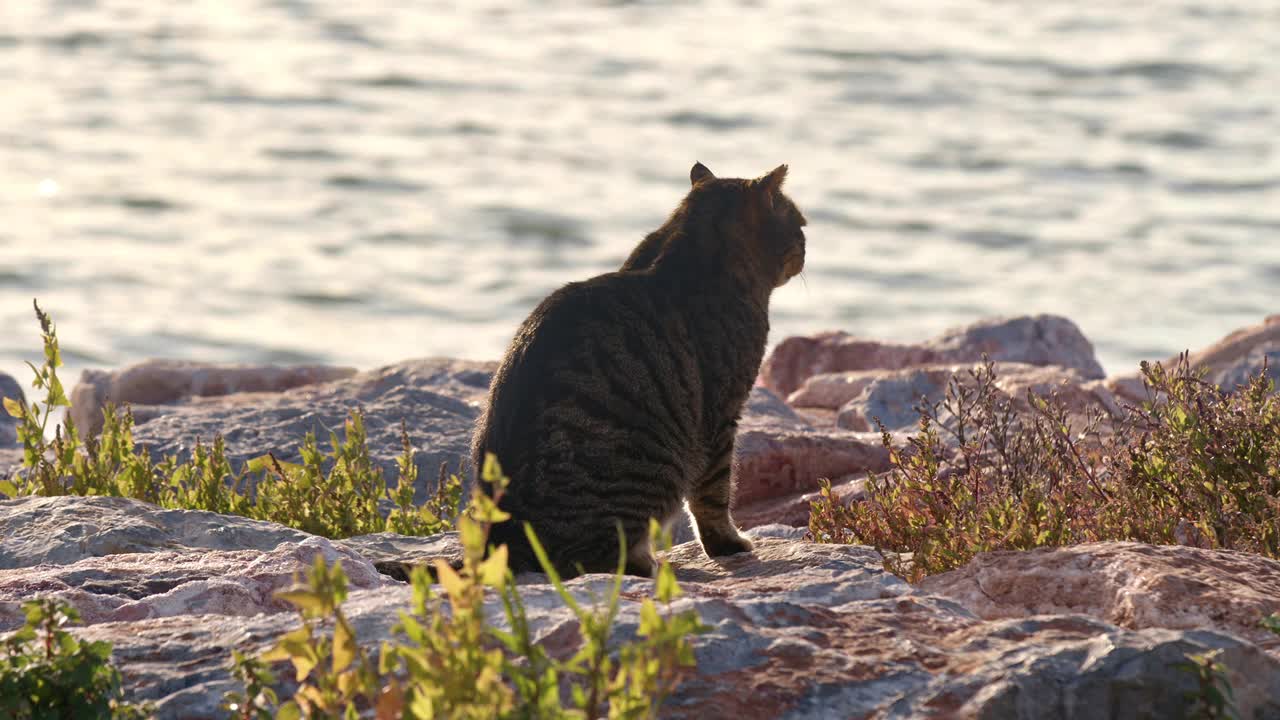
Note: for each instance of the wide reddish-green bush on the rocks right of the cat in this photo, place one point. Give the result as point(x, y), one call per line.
point(1195, 464)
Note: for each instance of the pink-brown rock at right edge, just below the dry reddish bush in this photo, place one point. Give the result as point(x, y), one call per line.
point(1130, 585)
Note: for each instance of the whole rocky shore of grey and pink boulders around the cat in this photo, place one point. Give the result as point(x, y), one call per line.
point(799, 630)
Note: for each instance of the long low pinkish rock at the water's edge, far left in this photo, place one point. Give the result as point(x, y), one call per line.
point(166, 382)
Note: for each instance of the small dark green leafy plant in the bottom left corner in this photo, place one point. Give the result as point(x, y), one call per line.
point(47, 673)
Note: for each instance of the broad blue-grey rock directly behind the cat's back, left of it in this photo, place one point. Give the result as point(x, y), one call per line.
point(438, 402)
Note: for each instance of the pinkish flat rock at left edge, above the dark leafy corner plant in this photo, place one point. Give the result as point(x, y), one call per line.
point(163, 585)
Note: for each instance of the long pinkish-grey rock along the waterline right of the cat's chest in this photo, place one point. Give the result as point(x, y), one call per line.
point(1040, 340)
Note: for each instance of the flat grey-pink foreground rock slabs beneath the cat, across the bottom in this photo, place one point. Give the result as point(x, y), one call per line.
point(797, 630)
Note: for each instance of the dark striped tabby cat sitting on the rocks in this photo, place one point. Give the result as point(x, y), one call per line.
point(620, 397)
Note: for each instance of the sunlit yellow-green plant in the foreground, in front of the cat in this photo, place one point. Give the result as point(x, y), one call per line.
point(452, 660)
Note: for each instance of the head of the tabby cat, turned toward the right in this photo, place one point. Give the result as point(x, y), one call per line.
point(757, 229)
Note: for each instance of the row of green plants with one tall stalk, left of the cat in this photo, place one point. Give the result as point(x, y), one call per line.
point(336, 495)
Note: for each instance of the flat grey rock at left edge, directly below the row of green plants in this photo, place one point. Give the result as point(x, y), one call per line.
point(63, 531)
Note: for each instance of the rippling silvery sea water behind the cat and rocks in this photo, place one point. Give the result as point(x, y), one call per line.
point(365, 183)
